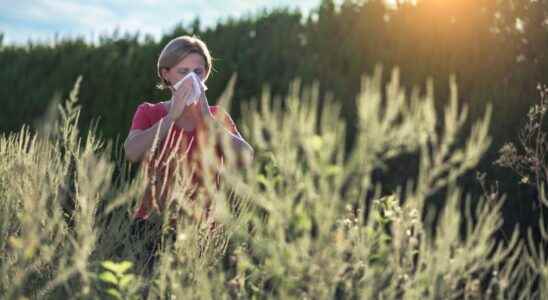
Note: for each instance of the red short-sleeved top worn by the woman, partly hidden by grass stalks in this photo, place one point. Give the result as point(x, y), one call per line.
point(177, 139)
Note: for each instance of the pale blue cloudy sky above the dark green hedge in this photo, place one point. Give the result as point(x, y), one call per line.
point(21, 20)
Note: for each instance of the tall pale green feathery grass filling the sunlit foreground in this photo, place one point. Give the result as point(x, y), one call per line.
point(304, 220)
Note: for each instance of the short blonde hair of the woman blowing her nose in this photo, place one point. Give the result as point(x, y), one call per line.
point(176, 50)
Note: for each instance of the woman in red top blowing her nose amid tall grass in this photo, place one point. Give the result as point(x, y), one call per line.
point(178, 127)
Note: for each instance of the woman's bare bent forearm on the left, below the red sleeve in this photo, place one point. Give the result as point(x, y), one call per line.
point(138, 144)
